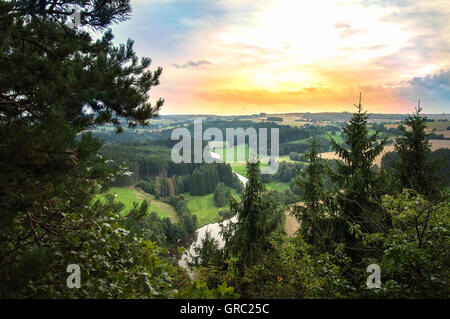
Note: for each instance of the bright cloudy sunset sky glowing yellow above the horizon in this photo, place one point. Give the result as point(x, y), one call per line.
point(281, 56)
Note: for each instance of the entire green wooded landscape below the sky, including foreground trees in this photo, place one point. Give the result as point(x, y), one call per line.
point(59, 91)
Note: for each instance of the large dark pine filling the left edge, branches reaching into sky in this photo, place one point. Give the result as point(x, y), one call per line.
point(55, 83)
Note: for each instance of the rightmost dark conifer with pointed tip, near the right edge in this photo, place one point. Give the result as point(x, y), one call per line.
point(415, 169)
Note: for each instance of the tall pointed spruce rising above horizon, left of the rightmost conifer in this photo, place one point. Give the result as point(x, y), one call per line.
point(358, 200)
